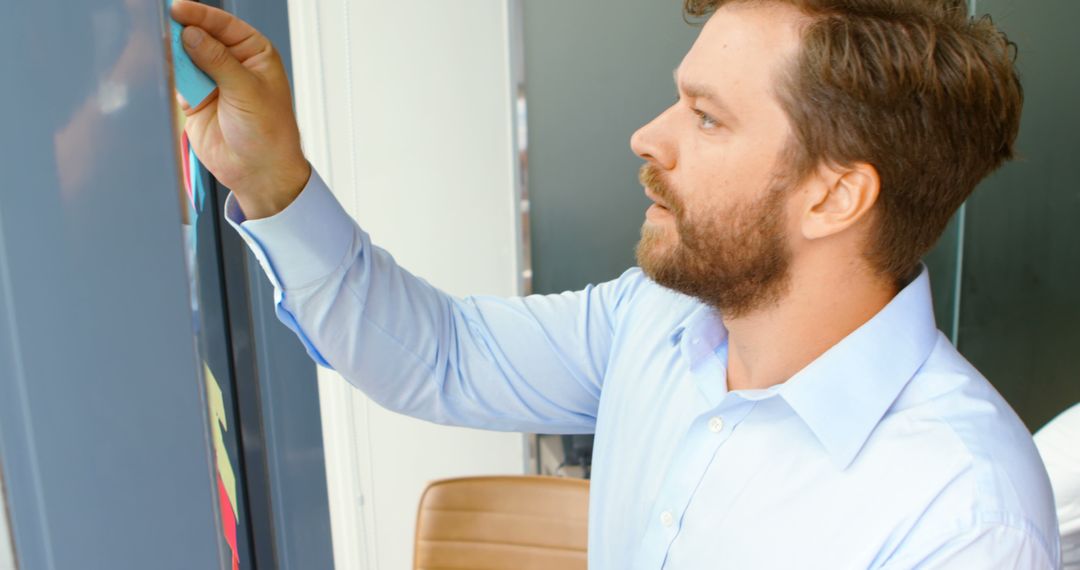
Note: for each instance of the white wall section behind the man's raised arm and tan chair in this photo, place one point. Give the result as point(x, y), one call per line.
point(406, 110)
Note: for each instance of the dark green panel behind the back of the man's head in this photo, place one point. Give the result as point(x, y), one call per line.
point(1020, 320)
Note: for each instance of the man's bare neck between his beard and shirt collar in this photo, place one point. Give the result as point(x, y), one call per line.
point(768, 347)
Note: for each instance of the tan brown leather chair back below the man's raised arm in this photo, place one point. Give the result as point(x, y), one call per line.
point(514, 523)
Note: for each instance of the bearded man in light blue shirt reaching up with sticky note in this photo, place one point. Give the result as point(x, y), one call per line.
point(769, 389)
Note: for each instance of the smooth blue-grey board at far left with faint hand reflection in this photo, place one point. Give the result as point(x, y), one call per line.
point(104, 431)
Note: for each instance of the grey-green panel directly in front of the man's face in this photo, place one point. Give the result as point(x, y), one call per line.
point(596, 73)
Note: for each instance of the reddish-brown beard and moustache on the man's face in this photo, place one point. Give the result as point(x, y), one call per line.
point(736, 261)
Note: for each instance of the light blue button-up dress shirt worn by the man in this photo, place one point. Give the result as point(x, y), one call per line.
point(888, 452)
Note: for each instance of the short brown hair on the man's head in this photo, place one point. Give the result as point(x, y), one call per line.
point(927, 96)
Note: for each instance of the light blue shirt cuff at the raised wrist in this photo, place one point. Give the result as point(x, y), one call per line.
point(302, 245)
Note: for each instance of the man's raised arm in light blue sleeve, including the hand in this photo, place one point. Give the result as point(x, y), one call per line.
point(533, 364)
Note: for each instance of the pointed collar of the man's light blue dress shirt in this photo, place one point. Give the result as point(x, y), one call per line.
point(844, 393)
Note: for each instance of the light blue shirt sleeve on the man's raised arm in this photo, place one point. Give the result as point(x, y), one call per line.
point(533, 364)
